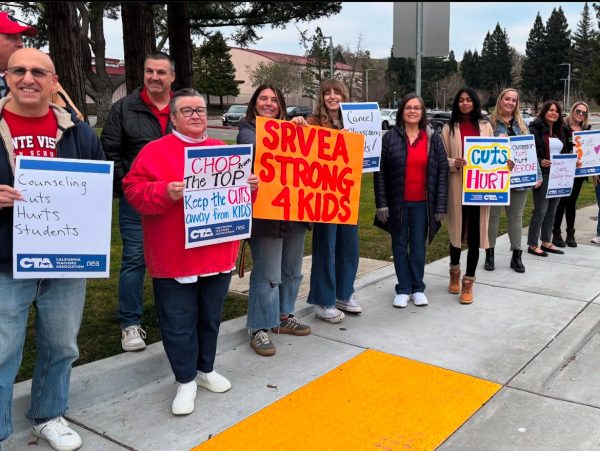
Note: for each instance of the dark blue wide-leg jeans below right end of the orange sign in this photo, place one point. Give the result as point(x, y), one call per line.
point(334, 263)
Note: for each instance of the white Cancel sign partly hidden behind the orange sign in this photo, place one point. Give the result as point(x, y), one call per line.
point(365, 118)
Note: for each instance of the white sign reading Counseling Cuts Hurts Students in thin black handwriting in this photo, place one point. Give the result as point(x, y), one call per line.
point(61, 228)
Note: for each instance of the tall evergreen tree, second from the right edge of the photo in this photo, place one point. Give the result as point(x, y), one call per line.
point(557, 52)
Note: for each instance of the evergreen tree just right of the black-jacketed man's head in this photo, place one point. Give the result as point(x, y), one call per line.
point(214, 73)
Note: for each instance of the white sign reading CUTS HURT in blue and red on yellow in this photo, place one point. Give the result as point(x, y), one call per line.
point(486, 177)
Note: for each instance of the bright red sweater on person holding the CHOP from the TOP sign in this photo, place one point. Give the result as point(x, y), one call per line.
point(145, 186)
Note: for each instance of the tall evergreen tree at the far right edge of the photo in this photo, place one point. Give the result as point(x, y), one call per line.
point(584, 58)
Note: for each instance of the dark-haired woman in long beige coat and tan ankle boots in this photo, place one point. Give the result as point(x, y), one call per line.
point(465, 222)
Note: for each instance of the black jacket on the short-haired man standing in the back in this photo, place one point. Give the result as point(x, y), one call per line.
point(130, 126)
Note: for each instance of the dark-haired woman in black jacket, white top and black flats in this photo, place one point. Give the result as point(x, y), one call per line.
point(549, 132)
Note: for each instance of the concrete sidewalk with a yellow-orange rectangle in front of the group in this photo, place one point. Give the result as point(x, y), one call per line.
point(519, 369)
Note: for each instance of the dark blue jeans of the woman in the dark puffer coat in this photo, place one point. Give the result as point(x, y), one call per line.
point(408, 248)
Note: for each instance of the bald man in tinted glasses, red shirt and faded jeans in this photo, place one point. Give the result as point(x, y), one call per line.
point(31, 126)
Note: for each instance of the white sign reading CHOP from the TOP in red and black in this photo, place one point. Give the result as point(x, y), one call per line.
point(217, 204)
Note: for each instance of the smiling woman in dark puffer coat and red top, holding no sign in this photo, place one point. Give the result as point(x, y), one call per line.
point(411, 195)
